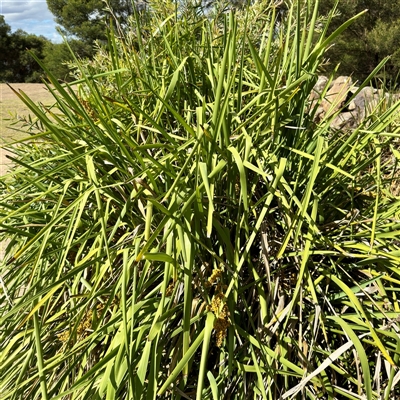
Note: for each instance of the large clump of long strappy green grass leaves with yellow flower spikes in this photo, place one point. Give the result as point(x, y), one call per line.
point(181, 228)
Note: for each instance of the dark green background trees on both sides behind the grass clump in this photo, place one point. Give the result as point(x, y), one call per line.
point(357, 51)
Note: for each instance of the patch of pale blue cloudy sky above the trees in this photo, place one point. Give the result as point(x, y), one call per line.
point(32, 16)
